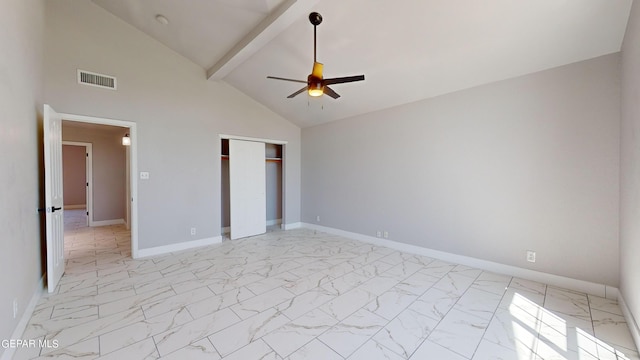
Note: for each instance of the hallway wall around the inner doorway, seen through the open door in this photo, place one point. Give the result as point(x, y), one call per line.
point(109, 165)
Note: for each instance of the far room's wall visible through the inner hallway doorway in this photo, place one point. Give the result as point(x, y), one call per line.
point(74, 171)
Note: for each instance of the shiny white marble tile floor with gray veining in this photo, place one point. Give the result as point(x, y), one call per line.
point(301, 294)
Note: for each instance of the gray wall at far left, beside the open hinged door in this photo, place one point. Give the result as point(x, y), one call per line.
point(21, 79)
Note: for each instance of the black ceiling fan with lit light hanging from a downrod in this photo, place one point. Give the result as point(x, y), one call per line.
point(316, 84)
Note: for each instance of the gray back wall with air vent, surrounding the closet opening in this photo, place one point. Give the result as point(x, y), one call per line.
point(179, 116)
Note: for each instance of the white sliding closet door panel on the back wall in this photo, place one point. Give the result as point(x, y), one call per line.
point(247, 188)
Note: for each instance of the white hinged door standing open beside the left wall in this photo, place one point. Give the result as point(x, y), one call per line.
point(53, 196)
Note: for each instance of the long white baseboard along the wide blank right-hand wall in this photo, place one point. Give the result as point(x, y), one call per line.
point(546, 278)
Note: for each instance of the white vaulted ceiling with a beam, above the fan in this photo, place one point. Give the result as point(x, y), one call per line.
point(408, 50)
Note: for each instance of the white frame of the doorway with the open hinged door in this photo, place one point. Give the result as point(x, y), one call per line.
point(133, 166)
